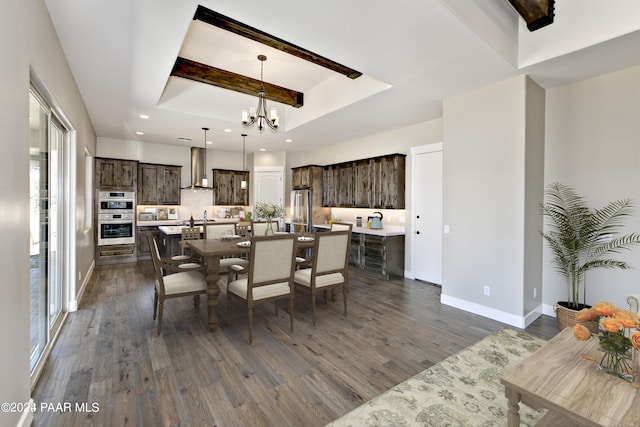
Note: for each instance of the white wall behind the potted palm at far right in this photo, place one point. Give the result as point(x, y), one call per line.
point(593, 145)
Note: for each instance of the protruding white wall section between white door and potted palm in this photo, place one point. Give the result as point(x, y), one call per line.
point(485, 175)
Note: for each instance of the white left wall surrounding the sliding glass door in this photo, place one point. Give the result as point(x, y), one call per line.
point(28, 38)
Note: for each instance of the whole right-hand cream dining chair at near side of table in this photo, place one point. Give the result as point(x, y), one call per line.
point(329, 267)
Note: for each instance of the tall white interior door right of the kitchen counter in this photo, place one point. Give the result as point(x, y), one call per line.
point(427, 213)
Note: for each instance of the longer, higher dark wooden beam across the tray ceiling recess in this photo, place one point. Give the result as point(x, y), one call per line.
point(218, 20)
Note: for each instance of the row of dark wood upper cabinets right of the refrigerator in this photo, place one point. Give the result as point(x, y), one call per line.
point(376, 183)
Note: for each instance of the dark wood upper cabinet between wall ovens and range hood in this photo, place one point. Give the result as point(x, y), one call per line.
point(158, 184)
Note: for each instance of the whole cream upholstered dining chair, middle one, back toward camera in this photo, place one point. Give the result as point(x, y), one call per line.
point(270, 276)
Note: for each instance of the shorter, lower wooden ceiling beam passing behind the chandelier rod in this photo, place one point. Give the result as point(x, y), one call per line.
point(203, 73)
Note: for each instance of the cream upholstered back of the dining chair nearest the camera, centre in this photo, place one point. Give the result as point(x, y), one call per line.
point(271, 261)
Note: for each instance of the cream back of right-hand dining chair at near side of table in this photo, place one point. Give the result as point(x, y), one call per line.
point(331, 252)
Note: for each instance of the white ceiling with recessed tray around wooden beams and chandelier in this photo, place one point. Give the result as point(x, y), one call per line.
point(413, 54)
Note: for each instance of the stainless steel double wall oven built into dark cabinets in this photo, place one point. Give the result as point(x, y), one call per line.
point(116, 218)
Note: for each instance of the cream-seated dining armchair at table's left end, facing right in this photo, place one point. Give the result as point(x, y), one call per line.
point(179, 284)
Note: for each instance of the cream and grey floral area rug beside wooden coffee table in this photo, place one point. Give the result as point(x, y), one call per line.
point(462, 390)
